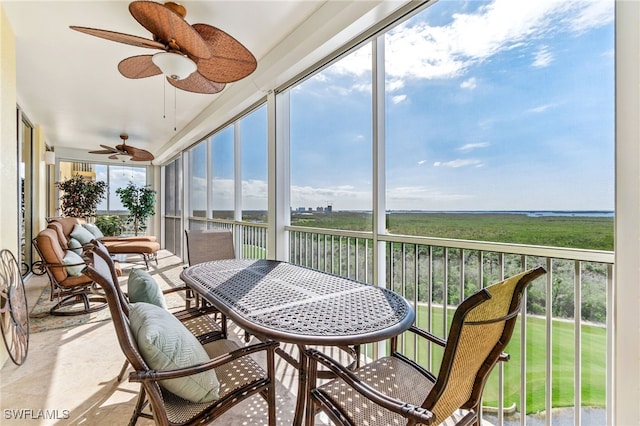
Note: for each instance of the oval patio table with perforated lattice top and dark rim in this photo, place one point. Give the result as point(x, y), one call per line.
point(293, 304)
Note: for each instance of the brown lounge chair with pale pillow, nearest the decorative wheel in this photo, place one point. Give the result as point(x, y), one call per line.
point(68, 284)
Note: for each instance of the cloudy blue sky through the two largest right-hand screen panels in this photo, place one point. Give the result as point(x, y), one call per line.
point(501, 105)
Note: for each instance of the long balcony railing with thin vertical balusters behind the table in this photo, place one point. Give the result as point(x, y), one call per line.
point(561, 362)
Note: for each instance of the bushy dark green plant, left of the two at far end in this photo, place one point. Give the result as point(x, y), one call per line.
point(81, 196)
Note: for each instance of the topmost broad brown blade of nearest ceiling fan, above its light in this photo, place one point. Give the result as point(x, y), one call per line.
point(169, 27)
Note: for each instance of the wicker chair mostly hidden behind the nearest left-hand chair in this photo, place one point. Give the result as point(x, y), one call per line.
point(200, 321)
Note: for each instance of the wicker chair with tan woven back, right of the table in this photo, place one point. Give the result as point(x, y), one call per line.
point(396, 390)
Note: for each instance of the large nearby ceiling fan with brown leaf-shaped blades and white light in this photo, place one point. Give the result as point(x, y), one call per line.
point(197, 58)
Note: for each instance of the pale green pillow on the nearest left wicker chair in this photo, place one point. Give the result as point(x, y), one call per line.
point(165, 344)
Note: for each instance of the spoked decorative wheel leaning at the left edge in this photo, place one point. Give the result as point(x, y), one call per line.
point(14, 314)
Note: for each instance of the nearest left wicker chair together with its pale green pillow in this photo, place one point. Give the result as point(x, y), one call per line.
point(224, 372)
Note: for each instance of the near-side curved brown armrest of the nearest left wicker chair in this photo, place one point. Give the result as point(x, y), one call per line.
point(155, 375)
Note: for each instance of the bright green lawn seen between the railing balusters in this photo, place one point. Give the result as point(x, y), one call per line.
point(593, 363)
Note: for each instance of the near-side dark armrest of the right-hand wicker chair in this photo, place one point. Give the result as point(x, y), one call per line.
point(410, 411)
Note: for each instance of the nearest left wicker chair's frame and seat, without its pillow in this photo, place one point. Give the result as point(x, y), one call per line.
point(239, 375)
